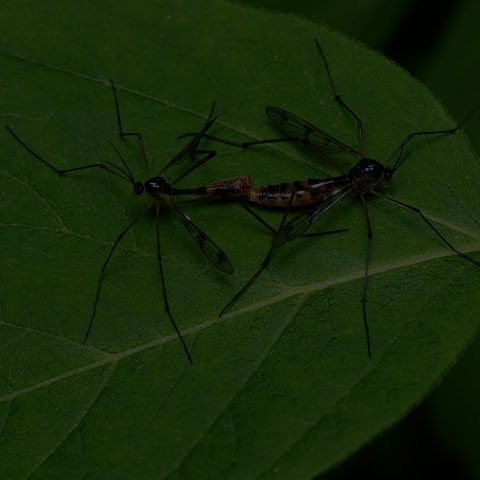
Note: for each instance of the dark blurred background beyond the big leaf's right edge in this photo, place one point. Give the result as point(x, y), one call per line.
point(438, 42)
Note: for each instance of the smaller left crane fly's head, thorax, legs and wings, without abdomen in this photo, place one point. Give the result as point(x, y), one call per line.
point(158, 191)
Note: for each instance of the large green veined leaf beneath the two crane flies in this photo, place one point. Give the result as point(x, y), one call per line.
point(281, 386)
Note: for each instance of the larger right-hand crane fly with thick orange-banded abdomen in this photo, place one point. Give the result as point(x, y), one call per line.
point(322, 194)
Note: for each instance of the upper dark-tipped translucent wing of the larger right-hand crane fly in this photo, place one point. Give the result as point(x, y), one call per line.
point(295, 126)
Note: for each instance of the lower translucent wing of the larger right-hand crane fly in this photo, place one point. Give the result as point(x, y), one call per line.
point(302, 222)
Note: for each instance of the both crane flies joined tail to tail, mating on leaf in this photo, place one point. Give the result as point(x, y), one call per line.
point(319, 195)
